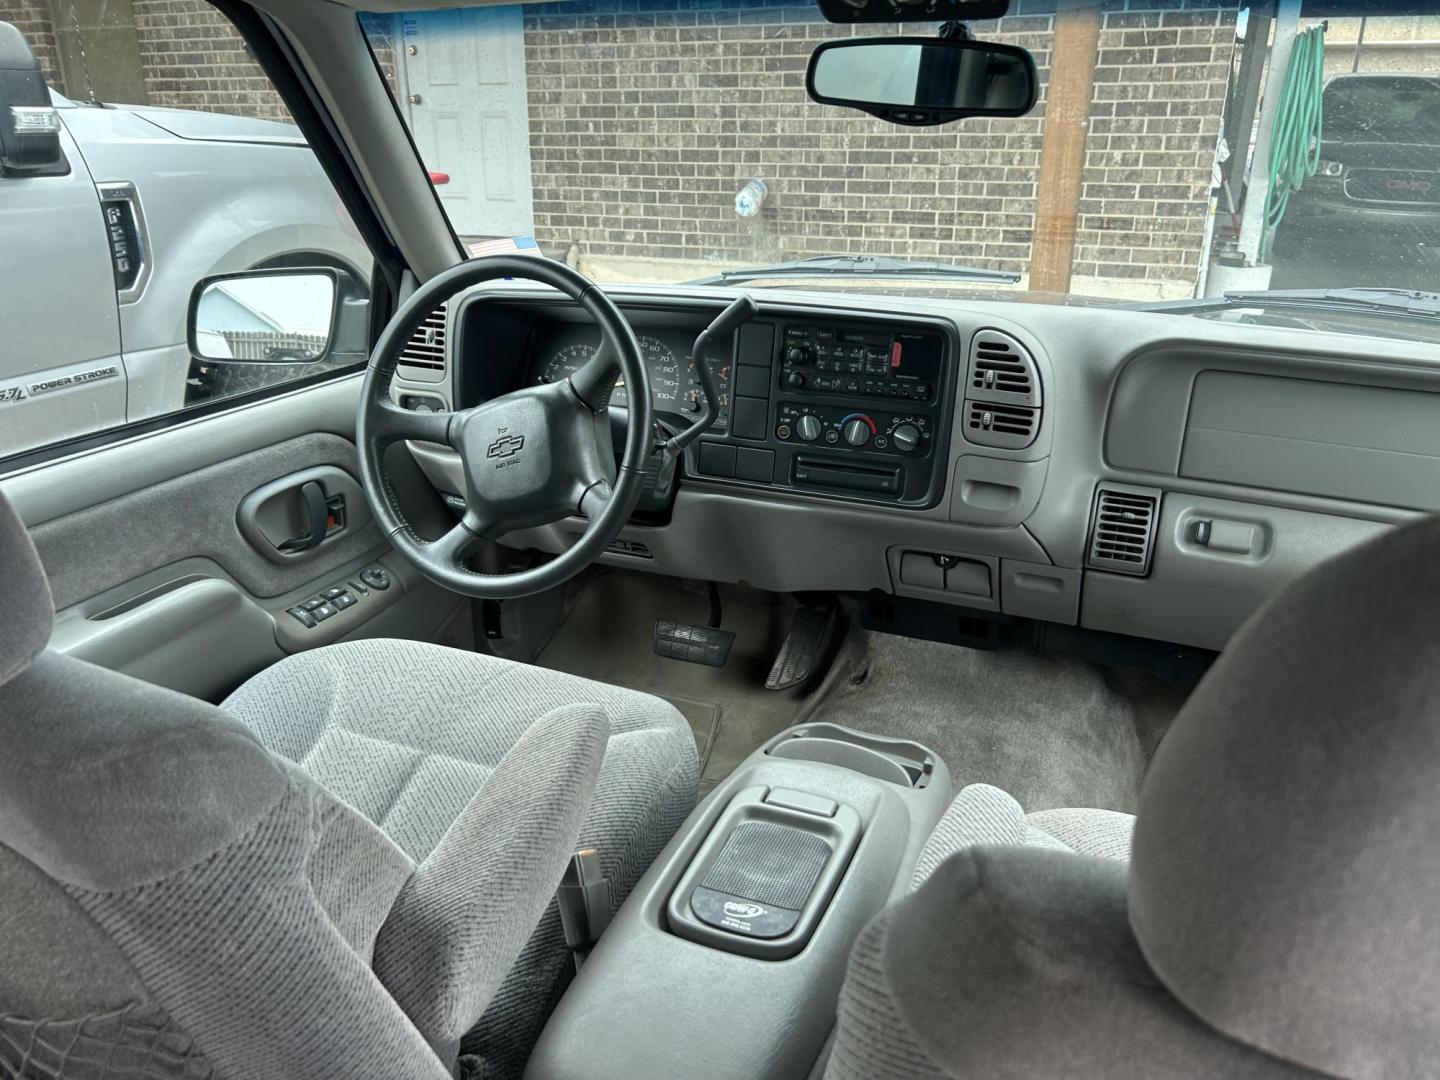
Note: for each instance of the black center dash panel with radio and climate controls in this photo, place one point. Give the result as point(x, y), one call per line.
point(849, 408)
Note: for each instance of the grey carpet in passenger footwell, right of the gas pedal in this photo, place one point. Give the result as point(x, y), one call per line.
point(1052, 732)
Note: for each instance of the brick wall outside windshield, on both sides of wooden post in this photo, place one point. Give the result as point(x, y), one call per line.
point(646, 125)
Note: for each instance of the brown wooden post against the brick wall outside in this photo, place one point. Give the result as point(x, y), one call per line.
point(1062, 153)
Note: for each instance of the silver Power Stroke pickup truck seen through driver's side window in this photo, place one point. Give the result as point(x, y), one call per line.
point(119, 210)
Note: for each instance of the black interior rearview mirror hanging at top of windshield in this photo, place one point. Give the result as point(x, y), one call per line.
point(924, 81)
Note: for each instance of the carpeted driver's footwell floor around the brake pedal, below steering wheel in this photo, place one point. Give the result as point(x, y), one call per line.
point(610, 636)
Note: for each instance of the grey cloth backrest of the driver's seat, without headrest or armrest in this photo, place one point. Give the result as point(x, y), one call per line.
point(168, 829)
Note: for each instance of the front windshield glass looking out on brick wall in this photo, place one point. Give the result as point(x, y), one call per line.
point(672, 142)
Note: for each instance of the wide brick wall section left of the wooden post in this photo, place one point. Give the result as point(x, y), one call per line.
point(646, 125)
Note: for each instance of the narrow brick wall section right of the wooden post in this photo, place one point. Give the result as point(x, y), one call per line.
point(1160, 91)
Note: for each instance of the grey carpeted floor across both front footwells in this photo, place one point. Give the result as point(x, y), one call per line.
point(1052, 732)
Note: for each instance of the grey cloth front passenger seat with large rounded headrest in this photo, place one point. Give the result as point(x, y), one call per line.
point(1277, 918)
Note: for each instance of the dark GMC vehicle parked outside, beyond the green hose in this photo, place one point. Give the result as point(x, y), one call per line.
point(1380, 163)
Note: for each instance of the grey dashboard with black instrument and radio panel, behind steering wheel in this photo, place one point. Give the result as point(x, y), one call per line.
point(1082, 467)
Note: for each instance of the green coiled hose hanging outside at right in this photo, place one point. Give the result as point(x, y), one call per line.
point(1295, 140)
